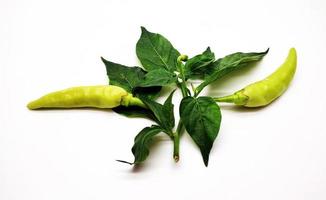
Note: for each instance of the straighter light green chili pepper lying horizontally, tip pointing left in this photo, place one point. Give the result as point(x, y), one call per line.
point(102, 96)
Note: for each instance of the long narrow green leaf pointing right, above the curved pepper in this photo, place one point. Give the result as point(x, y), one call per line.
point(229, 63)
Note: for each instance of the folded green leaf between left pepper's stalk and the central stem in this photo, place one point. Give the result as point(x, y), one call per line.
point(163, 113)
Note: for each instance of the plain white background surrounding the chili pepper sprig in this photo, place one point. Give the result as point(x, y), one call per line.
point(277, 152)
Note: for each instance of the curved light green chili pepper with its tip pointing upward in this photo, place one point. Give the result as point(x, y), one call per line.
point(263, 92)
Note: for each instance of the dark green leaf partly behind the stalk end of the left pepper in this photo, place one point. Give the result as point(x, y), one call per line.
point(128, 78)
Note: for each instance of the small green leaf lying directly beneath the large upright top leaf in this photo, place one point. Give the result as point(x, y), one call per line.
point(158, 77)
